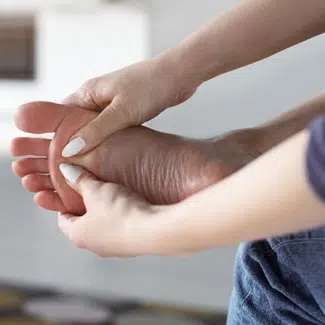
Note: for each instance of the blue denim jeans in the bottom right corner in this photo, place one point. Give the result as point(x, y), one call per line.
point(280, 281)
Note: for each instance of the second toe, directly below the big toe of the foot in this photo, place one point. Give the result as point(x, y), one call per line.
point(30, 147)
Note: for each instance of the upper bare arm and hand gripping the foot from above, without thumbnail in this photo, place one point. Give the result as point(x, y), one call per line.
point(245, 34)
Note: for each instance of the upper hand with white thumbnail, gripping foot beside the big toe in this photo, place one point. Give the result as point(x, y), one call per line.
point(128, 97)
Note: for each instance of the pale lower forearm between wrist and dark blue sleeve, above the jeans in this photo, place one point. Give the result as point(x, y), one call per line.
point(269, 197)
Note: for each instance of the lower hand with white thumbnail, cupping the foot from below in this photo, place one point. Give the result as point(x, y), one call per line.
point(112, 223)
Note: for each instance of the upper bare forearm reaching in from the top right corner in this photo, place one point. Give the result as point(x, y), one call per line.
point(251, 31)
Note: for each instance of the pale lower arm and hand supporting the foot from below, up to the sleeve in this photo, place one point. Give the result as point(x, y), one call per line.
point(254, 203)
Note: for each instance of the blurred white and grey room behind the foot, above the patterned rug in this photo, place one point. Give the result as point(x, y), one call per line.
point(47, 50)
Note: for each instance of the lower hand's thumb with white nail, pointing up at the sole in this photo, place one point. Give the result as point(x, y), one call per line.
point(80, 180)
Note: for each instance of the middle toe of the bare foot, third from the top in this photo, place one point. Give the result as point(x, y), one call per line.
point(28, 166)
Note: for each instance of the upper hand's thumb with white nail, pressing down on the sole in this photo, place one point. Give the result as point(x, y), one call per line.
point(111, 120)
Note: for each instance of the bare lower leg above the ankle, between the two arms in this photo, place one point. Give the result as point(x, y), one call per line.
point(289, 123)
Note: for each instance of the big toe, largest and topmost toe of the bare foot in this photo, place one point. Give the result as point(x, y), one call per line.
point(40, 117)
